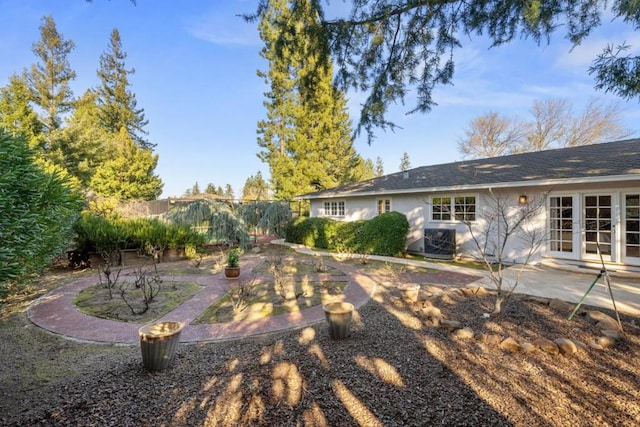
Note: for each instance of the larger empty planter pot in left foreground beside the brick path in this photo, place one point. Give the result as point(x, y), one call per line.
point(158, 343)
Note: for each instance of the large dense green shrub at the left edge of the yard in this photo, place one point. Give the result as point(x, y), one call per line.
point(39, 205)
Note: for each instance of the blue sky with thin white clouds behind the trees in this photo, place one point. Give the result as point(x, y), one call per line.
point(196, 64)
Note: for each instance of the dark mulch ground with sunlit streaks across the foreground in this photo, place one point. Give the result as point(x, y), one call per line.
point(396, 369)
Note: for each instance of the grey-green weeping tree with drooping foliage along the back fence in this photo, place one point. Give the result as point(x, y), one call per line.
point(232, 222)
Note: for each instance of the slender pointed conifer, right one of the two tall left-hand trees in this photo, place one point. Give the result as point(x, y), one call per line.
point(117, 104)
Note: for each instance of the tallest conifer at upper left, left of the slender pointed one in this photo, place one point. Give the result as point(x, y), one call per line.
point(50, 77)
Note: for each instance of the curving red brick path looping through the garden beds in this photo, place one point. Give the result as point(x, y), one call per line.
point(56, 312)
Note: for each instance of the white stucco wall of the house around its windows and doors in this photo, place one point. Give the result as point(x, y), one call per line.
point(417, 208)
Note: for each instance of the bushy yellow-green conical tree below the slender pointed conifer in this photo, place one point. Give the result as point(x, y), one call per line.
point(128, 174)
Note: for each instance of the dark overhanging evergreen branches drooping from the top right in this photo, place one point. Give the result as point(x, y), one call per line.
point(389, 49)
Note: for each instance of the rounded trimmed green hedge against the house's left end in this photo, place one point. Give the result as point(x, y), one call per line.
point(385, 234)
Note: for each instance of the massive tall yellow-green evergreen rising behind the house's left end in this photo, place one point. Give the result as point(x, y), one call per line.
point(306, 138)
